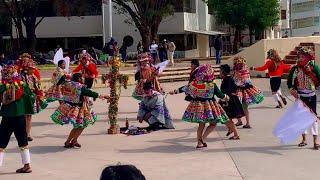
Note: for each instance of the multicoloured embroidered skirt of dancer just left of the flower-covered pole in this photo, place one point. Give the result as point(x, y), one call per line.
point(78, 116)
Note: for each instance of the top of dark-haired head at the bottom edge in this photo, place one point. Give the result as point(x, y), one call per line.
point(122, 172)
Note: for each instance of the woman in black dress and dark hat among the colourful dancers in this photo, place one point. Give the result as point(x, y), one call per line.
point(233, 107)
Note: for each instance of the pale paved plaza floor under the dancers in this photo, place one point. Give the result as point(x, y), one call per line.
point(167, 154)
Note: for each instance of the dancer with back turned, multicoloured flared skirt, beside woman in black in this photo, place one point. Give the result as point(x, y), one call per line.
point(203, 107)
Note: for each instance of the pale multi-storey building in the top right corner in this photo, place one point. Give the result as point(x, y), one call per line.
point(303, 18)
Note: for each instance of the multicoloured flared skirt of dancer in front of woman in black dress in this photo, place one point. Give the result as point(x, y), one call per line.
point(204, 112)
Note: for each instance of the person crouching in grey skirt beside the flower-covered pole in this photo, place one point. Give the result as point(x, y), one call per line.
point(153, 110)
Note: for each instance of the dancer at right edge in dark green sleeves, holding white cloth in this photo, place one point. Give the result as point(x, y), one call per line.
point(302, 82)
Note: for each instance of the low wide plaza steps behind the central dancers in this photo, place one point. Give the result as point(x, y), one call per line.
point(181, 74)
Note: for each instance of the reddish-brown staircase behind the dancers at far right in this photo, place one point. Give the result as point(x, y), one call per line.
point(291, 58)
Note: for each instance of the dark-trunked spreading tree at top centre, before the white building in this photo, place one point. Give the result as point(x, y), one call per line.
point(146, 15)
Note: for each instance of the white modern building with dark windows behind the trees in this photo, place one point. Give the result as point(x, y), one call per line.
point(190, 28)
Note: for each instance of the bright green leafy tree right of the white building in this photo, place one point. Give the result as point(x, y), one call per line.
point(256, 15)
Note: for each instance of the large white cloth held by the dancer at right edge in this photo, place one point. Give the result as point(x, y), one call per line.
point(295, 122)
